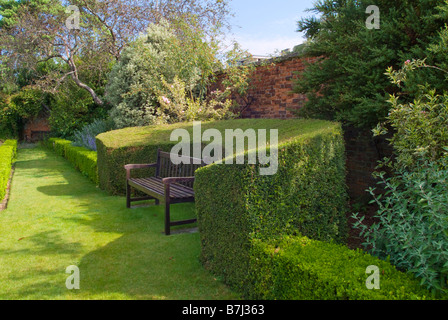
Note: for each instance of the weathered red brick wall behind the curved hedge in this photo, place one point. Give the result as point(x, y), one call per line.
point(272, 97)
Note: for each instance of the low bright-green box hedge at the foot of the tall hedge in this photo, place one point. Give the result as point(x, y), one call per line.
point(297, 268)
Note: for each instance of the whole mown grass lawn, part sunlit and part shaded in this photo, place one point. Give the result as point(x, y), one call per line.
point(57, 218)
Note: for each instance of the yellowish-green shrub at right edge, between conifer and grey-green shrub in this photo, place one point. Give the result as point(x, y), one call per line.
point(420, 127)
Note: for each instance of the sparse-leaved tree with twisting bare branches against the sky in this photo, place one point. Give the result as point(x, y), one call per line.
point(37, 32)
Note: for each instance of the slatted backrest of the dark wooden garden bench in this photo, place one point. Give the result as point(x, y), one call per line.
point(166, 168)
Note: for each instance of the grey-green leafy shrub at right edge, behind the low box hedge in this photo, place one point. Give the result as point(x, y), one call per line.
point(413, 223)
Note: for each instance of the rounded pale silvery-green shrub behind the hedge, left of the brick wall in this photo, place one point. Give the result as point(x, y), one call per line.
point(165, 52)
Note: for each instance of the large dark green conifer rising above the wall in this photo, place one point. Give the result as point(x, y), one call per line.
point(349, 83)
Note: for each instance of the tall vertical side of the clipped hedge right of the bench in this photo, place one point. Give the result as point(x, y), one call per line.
point(235, 204)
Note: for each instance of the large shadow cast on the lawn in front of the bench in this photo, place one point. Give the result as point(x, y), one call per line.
point(144, 263)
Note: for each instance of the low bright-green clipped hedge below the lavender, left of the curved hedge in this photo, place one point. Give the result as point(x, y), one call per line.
point(82, 159)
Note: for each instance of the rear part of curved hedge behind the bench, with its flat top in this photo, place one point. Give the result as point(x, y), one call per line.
point(139, 144)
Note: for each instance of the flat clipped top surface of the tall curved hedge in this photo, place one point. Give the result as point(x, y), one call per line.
point(160, 134)
